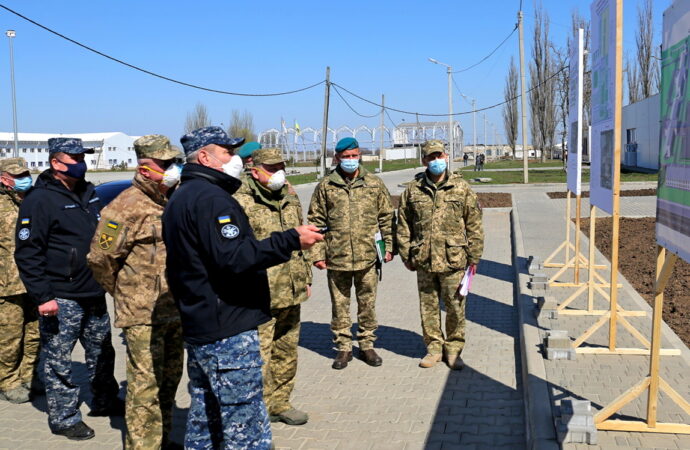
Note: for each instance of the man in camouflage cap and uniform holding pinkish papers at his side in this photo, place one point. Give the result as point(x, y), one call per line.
point(440, 235)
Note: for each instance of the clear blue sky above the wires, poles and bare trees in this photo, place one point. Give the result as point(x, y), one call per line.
point(371, 47)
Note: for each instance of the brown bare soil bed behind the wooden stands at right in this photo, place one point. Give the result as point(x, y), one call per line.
point(638, 265)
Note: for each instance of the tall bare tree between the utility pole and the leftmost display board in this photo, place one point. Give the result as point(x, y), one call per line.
point(542, 86)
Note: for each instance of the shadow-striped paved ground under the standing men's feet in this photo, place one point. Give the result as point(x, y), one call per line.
point(397, 405)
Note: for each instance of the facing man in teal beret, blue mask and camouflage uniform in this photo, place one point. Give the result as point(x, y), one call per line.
point(353, 205)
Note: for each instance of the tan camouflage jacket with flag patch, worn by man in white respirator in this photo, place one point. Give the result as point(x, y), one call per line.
point(127, 256)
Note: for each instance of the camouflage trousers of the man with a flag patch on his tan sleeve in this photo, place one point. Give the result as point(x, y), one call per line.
point(155, 355)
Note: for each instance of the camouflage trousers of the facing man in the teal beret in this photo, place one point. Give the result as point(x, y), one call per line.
point(340, 285)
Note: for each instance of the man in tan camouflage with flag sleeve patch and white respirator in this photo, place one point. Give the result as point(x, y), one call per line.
point(128, 259)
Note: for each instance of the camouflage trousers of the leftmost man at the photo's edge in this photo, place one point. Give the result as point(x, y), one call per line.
point(19, 341)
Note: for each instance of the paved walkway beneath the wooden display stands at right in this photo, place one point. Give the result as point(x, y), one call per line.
point(601, 378)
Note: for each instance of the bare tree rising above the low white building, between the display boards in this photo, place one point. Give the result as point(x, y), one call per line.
point(647, 65)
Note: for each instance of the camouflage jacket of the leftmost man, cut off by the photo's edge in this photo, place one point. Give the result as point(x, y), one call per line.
point(10, 283)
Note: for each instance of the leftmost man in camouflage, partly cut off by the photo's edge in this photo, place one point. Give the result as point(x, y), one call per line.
point(19, 338)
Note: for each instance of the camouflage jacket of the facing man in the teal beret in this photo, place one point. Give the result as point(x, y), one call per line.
point(353, 212)
